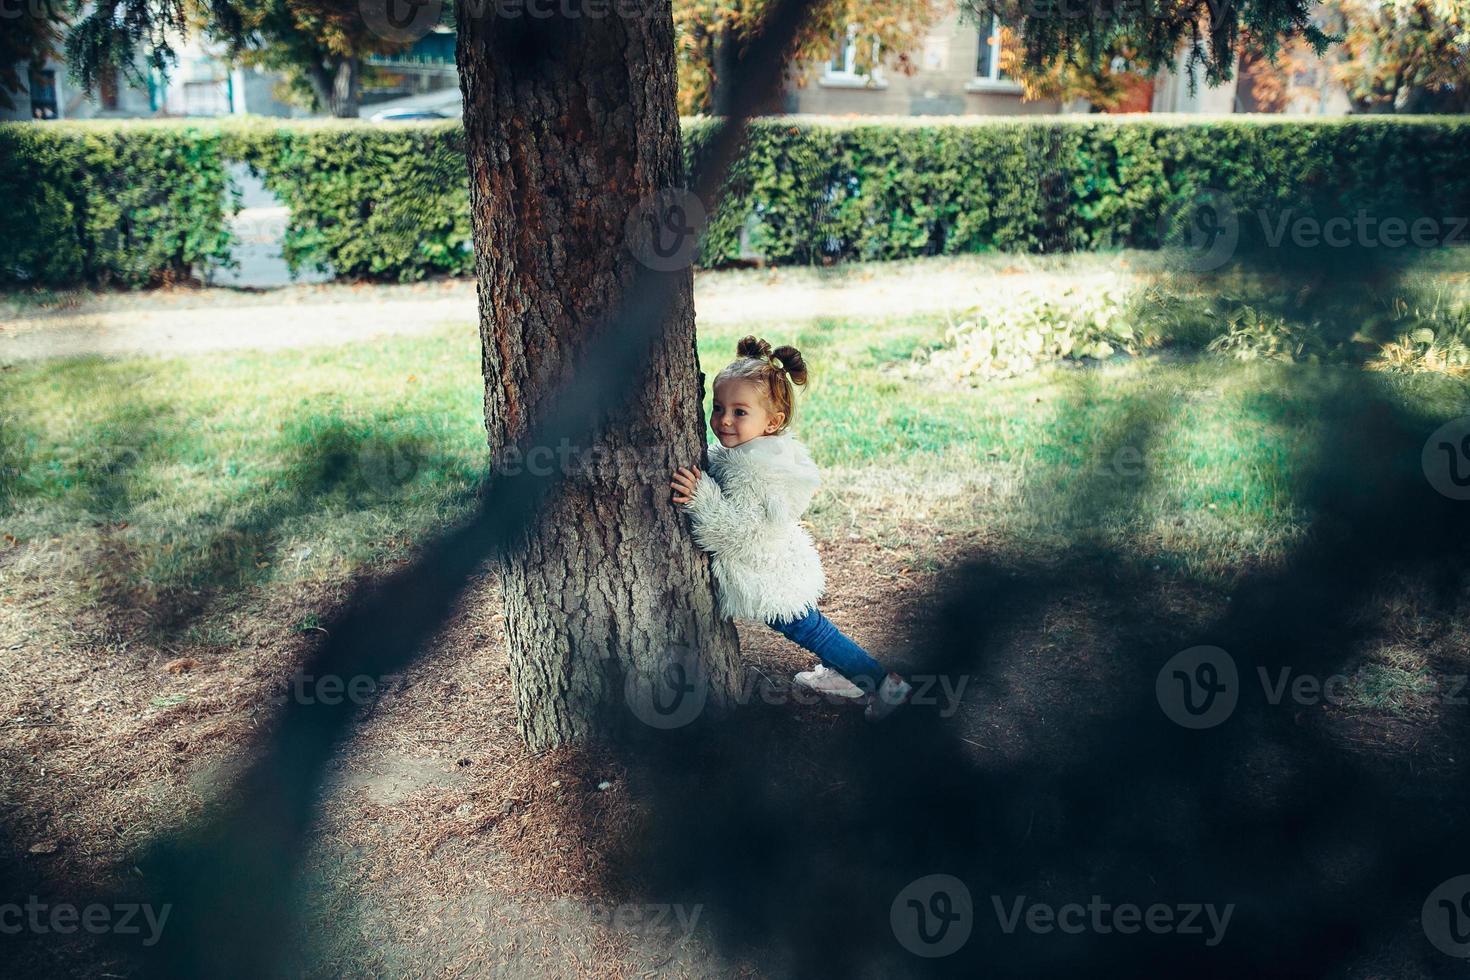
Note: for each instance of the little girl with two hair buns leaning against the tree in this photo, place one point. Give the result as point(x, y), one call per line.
point(745, 512)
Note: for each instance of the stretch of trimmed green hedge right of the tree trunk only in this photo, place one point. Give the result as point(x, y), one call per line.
point(896, 190)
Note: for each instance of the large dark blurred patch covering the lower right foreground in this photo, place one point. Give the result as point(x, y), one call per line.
point(799, 840)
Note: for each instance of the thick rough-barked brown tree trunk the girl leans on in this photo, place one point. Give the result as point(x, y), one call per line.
point(570, 124)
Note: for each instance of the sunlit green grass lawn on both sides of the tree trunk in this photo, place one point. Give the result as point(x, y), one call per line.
point(207, 474)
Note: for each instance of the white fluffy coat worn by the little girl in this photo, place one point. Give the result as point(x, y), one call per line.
point(745, 512)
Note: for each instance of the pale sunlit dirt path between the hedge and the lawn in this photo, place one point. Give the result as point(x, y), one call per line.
point(193, 321)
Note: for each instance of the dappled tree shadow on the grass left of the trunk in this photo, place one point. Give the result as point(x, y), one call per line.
point(164, 566)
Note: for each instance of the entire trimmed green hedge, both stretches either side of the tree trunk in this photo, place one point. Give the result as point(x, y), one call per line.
point(136, 202)
